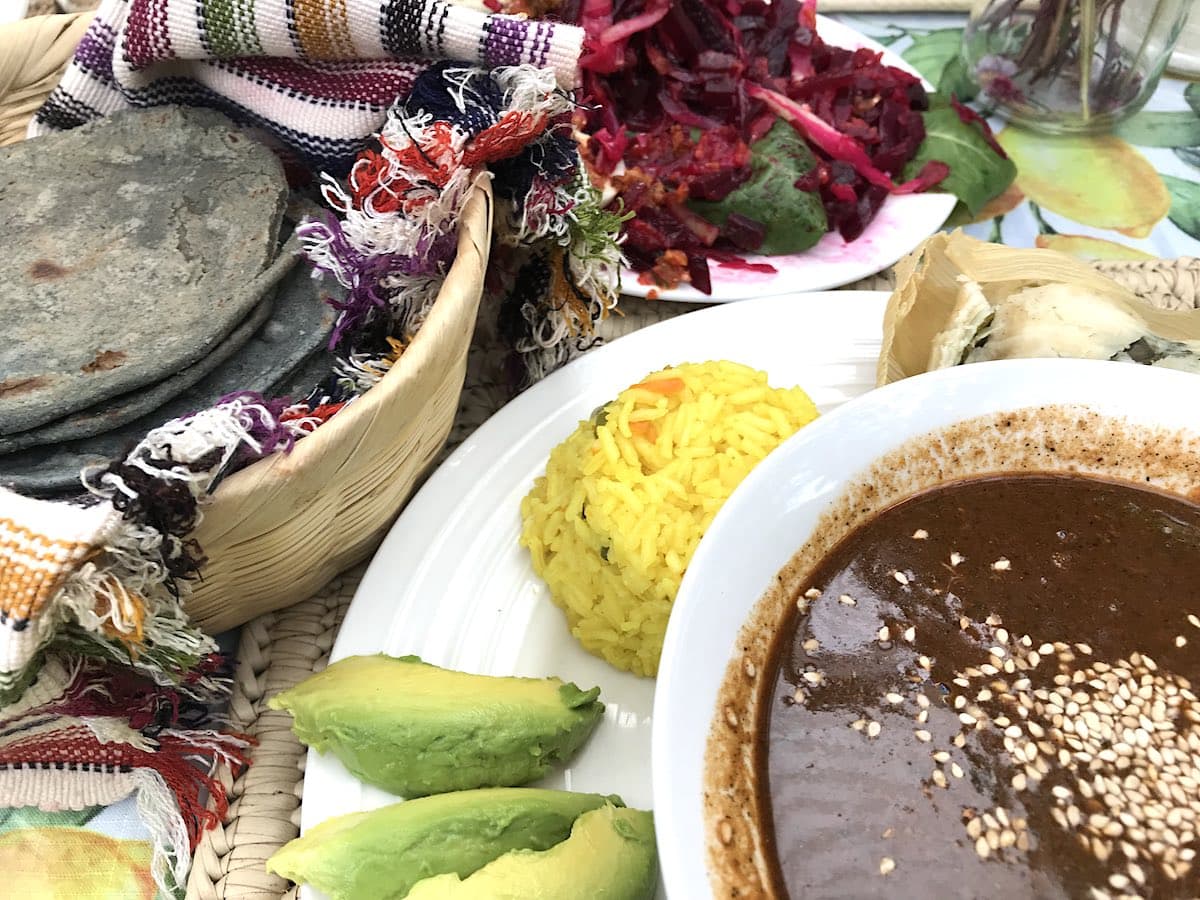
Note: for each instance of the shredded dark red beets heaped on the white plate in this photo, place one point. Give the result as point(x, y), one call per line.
point(679, 91)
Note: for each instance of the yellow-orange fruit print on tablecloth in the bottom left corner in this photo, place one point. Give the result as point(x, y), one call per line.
point(74, 865)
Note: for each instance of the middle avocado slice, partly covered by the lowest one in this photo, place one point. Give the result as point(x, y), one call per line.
point(382, 854)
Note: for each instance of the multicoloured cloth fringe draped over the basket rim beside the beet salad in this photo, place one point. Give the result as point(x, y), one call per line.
point(393, 237)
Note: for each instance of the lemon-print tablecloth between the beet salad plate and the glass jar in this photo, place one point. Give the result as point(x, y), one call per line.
point(1135, 195)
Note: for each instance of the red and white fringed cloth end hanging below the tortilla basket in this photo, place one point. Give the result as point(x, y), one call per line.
point(89, 735)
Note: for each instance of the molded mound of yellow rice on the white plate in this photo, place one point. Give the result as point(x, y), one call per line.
point(615, 521)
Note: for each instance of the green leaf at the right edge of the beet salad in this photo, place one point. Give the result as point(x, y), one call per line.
point(977, 172)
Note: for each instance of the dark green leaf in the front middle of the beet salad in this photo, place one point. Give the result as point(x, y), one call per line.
point(795, 219)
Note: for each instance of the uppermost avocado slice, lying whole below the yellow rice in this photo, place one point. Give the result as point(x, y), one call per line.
point(415, 729)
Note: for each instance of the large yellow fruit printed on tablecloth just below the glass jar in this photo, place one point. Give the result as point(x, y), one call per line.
point(1096, 181)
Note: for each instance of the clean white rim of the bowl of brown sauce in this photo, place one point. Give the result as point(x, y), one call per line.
point(776, 511)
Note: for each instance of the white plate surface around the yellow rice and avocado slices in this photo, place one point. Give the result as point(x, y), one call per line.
point(452, 585)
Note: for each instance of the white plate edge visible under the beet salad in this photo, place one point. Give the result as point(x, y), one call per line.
point(902, 224)
